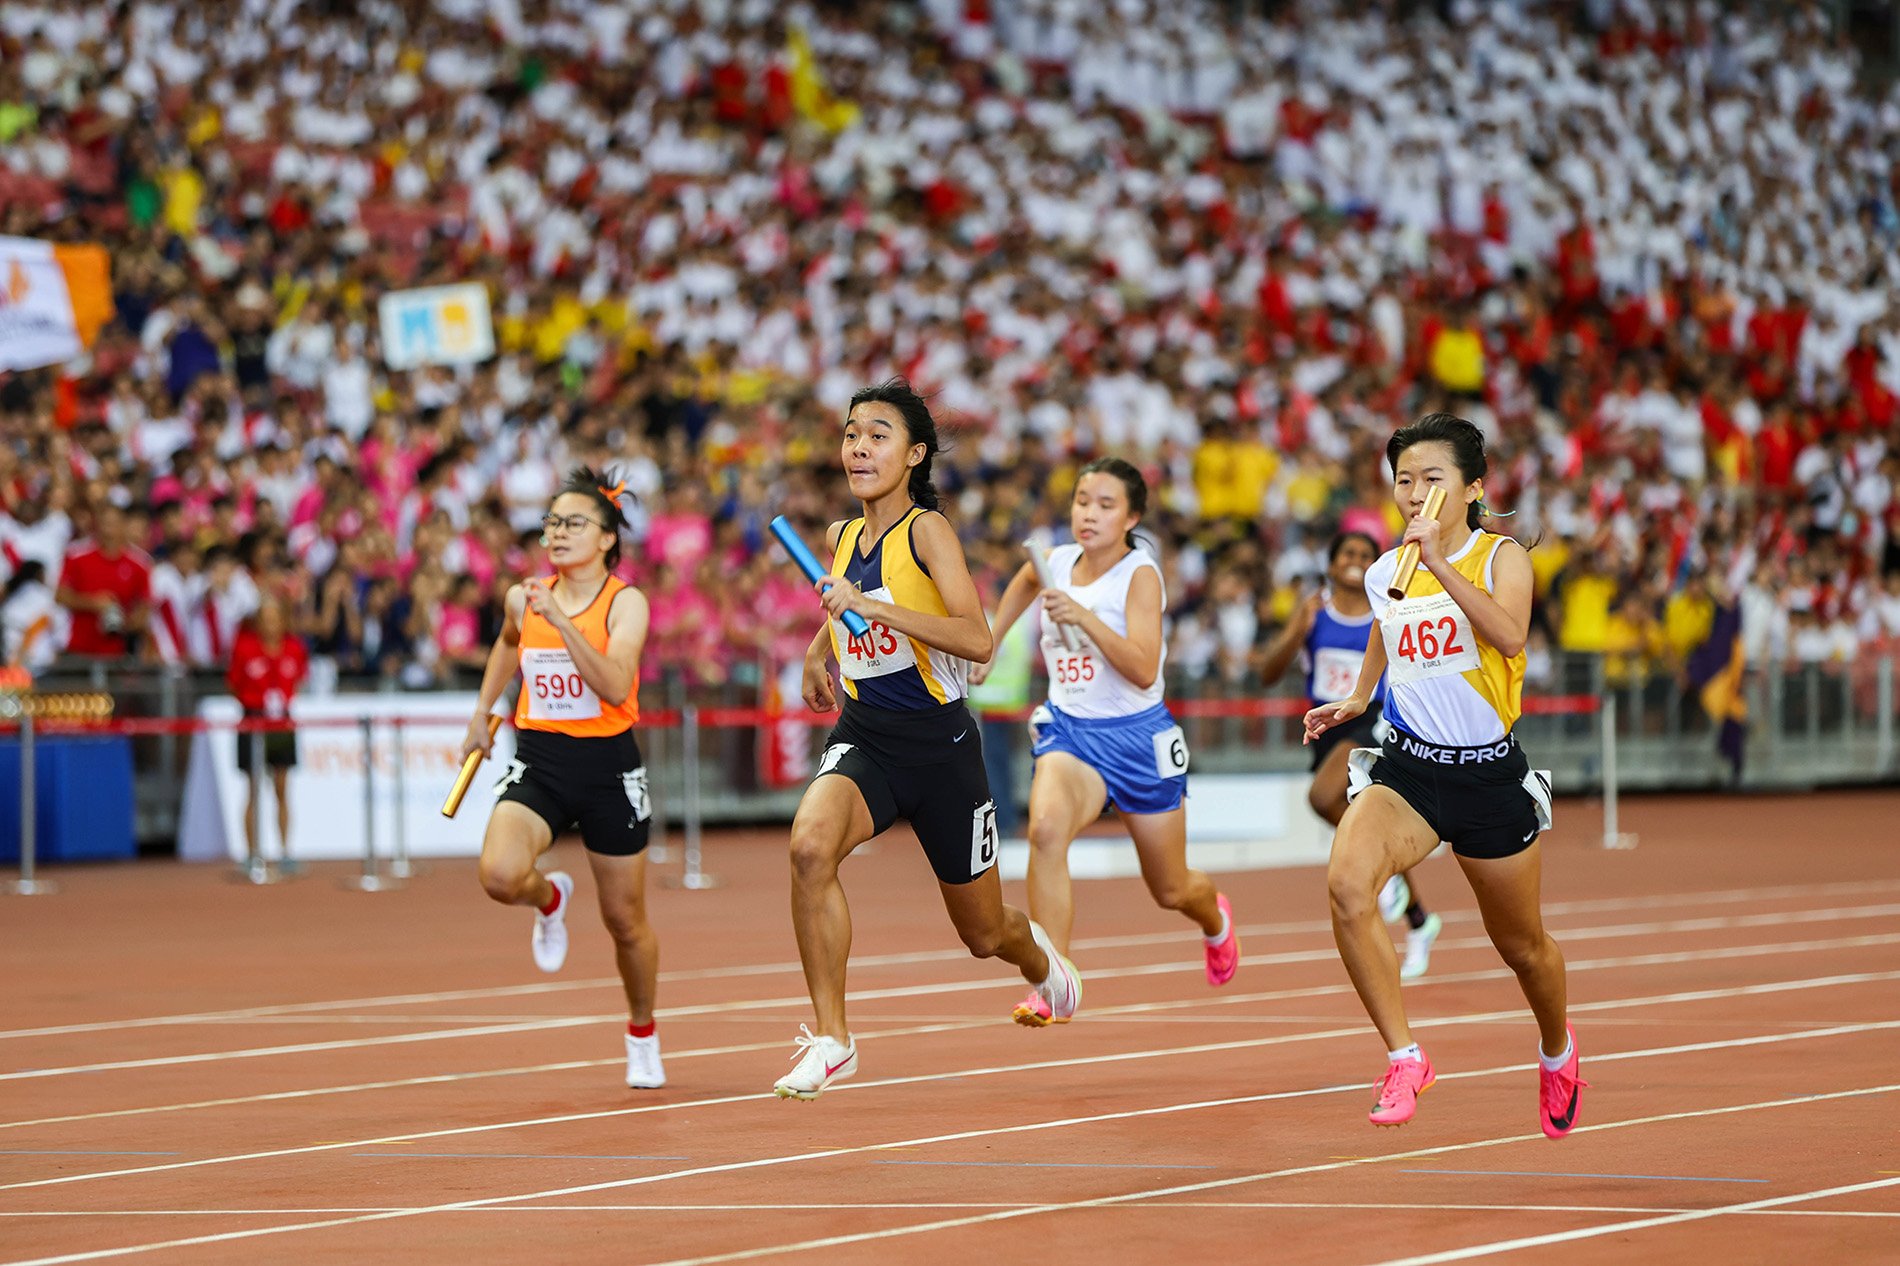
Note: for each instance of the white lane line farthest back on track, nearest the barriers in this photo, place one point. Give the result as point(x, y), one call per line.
point(1722, 896)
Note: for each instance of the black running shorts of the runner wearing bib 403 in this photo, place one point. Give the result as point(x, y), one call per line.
point(924, 767)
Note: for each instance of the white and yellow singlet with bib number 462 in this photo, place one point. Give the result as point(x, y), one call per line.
point(1445, 685)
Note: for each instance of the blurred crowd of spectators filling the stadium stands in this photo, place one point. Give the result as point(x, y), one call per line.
point(1650, 246)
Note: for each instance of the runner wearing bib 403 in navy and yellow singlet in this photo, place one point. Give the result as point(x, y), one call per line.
point(905, 746)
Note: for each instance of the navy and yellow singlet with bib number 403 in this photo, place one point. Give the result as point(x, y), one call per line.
point(886, 668)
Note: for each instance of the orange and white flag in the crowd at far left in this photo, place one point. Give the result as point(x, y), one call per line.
point(52, 301)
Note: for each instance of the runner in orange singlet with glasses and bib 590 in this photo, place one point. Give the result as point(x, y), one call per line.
point(577, 640)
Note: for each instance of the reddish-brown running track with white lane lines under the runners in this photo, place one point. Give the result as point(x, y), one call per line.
point(197, 1071)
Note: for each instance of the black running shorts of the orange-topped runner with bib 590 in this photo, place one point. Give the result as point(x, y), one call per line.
point(594, 784)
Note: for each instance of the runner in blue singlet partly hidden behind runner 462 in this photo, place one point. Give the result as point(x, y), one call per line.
point(1329, 632)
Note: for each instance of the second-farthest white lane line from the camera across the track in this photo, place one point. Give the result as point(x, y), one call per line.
point(913, 991)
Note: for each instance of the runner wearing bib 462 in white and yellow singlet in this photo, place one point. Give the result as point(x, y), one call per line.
point(1453, 657)
